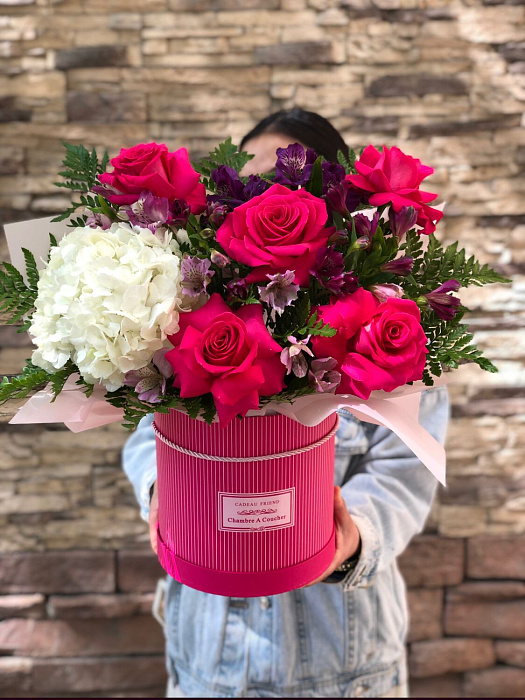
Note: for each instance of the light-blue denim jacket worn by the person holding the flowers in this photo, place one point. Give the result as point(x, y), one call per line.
point(328, 640)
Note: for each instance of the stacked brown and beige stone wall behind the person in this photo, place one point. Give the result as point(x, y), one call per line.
point(443, 79)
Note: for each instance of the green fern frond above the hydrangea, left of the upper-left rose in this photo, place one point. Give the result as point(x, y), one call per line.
point(81, 169)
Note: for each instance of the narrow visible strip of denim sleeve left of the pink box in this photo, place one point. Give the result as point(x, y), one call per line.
point(139, 461)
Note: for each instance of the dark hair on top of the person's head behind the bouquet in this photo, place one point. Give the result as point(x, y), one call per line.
point(309, 128)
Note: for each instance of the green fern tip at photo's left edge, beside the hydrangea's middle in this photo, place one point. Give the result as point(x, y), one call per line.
point(16, 297)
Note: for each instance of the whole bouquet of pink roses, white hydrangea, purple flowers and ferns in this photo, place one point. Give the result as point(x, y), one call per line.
point(191, 286)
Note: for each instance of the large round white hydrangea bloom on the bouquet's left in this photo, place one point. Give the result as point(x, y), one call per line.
point(106, 300)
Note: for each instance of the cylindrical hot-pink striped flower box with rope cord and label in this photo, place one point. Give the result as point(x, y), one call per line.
point(237, 520)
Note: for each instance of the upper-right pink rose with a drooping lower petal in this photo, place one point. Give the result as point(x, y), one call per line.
point(395, 177)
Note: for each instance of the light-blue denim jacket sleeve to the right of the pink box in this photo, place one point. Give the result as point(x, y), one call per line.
point(389, 492)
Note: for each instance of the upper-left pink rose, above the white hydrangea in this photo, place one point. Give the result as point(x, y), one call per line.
point(151, 167)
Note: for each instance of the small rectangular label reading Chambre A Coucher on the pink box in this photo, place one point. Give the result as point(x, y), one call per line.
point(246, 512)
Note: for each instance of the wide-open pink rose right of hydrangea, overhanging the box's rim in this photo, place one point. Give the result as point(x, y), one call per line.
point(228, 353)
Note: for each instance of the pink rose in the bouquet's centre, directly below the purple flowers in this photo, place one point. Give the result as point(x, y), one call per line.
point(276, 231)
